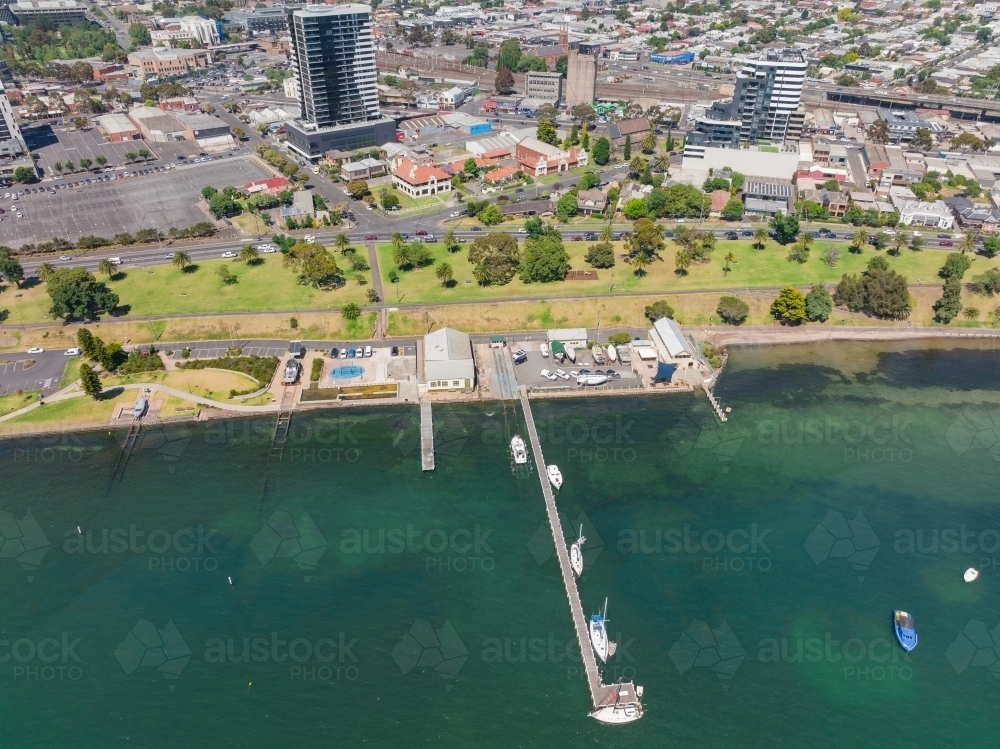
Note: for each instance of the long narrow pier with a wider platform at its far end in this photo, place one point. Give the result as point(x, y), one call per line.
point(617, 703)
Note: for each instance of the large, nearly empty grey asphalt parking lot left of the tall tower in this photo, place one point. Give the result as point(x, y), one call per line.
point(159, 200)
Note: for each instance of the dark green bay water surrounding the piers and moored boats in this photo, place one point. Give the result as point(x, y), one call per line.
point(747, 624)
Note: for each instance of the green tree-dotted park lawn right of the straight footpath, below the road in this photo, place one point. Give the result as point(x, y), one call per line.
point(752, 268)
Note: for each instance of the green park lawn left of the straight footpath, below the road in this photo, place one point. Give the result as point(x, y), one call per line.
point(164, 290)
